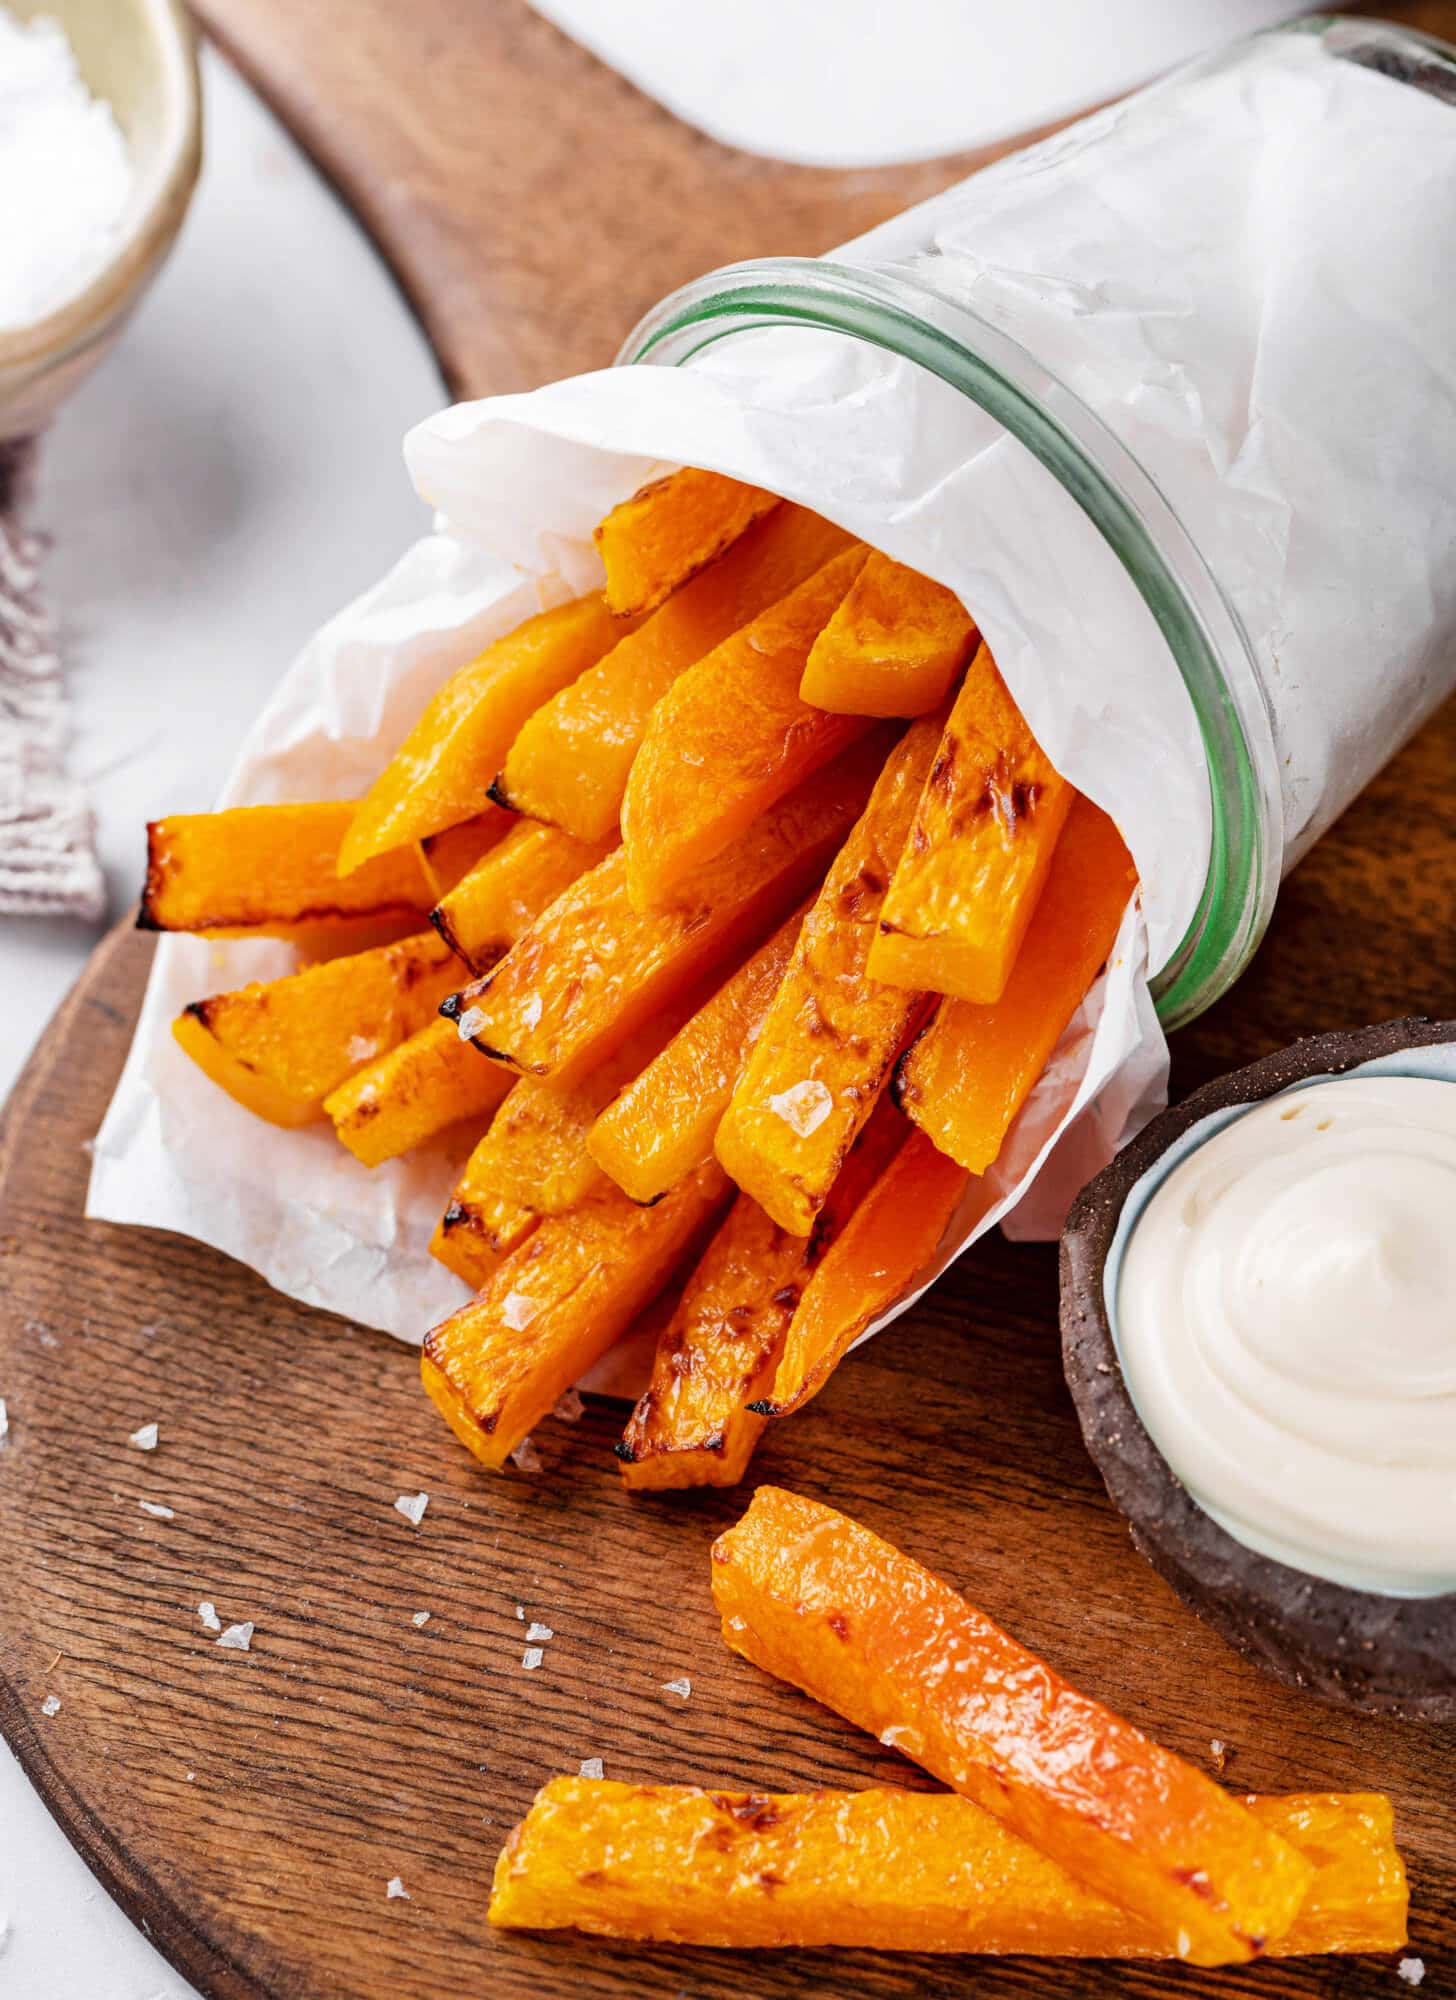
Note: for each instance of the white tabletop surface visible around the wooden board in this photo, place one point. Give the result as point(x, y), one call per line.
point(233, 475)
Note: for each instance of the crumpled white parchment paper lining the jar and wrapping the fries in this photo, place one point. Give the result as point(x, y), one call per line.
point(1217, 325)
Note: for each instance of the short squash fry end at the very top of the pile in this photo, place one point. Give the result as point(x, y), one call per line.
point(669, 531)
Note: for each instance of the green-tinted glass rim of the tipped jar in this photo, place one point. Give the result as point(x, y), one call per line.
point(897, 313)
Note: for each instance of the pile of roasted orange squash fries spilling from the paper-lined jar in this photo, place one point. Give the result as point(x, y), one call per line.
point(733, 913)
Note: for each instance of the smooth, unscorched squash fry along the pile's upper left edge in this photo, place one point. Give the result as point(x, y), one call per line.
point(441, 773)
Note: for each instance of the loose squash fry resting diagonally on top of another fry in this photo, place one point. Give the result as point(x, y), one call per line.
point(809, 1595)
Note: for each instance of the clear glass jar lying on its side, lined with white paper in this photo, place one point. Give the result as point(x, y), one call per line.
point(1221, 317)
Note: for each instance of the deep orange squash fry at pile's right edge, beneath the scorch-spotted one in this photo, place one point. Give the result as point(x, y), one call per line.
point(973, 1067)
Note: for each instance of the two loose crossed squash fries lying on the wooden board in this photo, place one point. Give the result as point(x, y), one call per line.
point(1065, 1831)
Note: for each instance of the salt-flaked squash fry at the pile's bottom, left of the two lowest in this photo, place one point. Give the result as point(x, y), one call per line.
point(555, 1307)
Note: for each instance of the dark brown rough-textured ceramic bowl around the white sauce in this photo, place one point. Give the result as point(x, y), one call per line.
point(1355, 1647)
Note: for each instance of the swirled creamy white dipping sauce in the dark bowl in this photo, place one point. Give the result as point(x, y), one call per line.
point(1287, 1329)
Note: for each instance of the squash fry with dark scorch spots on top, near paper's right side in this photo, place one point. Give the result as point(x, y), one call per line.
point(979, 851)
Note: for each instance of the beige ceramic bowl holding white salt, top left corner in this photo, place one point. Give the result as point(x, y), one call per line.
point(141, 57)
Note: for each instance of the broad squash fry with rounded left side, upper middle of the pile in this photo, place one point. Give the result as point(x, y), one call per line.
point(729, 739)
